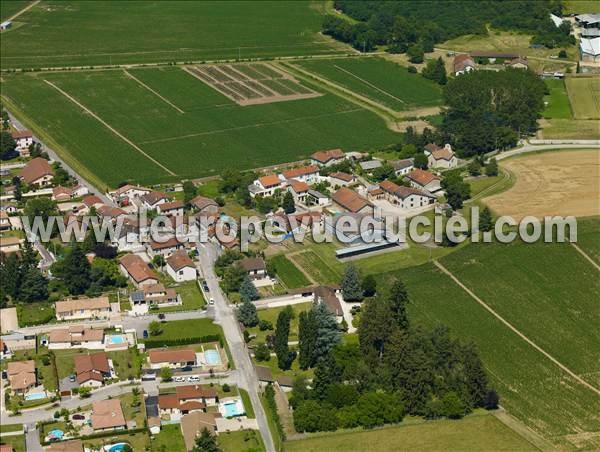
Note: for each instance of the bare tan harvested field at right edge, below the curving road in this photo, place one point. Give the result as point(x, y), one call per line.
point(551, 183)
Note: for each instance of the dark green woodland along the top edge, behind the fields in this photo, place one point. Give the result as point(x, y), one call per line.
point(414, 27)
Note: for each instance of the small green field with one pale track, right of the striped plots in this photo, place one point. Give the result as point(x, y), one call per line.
point(378, 79)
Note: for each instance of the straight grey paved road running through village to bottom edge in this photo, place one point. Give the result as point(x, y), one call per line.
point(225, 316)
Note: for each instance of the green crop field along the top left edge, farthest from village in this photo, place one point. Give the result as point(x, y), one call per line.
point(110, 32)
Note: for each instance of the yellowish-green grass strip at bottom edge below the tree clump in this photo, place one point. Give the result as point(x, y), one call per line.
point(473, 433)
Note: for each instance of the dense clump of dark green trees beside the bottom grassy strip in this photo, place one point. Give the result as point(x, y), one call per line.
point(395, 370)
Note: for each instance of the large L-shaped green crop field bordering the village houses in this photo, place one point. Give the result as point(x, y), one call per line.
point(211, 134)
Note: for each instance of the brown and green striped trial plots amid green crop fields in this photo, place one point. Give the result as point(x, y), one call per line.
point(250, 84)
